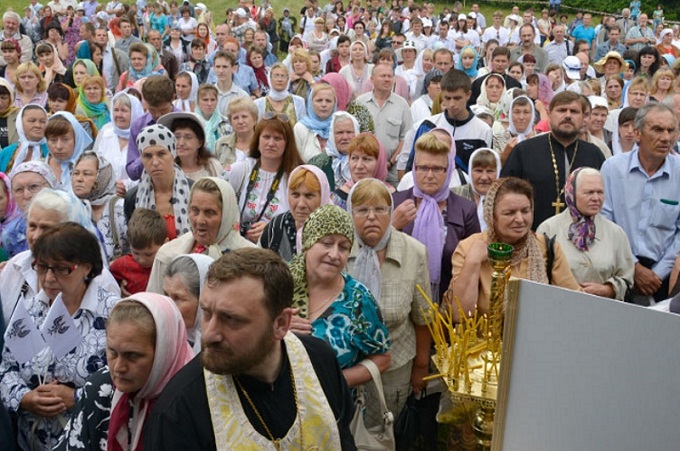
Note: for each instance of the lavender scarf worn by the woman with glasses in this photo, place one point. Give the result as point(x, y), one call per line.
point(429, 224)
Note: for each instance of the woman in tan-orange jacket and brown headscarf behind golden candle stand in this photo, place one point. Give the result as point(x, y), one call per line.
point(508, 213)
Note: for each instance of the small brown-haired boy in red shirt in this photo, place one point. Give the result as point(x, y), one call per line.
point(147, 232)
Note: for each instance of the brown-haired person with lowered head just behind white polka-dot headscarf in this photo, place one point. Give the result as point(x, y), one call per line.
point(158, 92)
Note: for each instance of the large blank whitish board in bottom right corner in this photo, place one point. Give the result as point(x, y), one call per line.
point(591, 374)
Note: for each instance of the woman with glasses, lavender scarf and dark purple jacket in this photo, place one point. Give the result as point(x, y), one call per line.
point(431, 213)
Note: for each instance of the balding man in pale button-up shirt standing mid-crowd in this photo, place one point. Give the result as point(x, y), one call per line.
point(391, 115)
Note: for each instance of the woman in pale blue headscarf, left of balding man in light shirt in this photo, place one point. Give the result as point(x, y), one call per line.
point(312, 131)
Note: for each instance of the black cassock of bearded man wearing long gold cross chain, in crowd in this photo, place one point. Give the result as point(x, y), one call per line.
point(531, 160)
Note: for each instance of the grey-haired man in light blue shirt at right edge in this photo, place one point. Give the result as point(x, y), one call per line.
point(642, 197)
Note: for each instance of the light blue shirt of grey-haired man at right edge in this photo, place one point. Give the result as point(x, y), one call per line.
point(646, 207)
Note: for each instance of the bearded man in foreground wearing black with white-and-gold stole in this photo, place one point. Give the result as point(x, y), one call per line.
point(255, 385)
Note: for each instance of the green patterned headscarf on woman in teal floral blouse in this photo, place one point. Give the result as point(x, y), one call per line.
point(325, 220)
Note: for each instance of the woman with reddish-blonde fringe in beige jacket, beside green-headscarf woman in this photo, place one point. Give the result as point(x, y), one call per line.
point(392, 265)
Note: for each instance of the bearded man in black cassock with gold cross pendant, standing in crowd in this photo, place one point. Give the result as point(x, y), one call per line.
point(546, 160)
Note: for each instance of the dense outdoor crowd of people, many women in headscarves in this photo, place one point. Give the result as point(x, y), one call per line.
point(231, 216)
